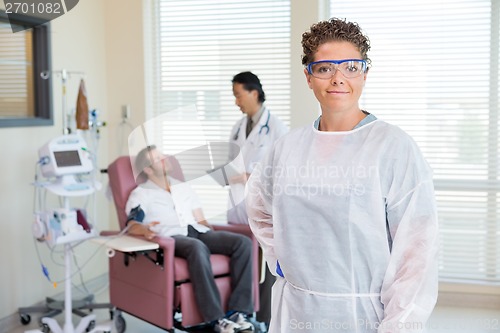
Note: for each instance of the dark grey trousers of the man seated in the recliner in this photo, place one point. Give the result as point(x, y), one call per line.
point(196, 248)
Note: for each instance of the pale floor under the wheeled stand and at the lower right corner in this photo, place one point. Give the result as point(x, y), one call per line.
point(445, 319)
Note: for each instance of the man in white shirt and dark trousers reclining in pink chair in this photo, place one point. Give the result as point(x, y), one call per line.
point(164, 206)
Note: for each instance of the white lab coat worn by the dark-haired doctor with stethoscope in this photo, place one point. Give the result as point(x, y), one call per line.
point(252, 150)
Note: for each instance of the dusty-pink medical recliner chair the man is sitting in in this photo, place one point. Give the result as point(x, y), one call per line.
point(154, 285)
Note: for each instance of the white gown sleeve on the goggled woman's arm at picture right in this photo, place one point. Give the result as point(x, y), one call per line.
point(410, 287)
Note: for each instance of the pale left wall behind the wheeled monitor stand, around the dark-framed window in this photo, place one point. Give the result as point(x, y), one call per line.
point(77, 44)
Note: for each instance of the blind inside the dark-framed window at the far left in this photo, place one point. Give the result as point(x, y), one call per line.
point(16, 96)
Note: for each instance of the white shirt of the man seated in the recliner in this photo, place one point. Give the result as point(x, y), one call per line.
point(174, 209)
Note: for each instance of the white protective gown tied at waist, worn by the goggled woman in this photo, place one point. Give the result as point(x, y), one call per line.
point(351, 218)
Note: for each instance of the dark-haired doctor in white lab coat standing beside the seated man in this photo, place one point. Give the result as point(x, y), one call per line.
point(254, 134)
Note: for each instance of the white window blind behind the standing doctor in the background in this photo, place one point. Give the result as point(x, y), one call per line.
point(193, 50)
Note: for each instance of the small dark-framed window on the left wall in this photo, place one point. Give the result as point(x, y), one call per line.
point(24, 95)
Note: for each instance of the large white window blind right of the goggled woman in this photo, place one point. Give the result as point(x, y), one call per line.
point(435, 73)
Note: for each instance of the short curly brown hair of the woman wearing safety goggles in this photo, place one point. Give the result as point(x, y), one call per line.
point(333, 30)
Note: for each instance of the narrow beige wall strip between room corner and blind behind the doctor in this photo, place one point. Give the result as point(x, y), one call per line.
point(125, 69)
